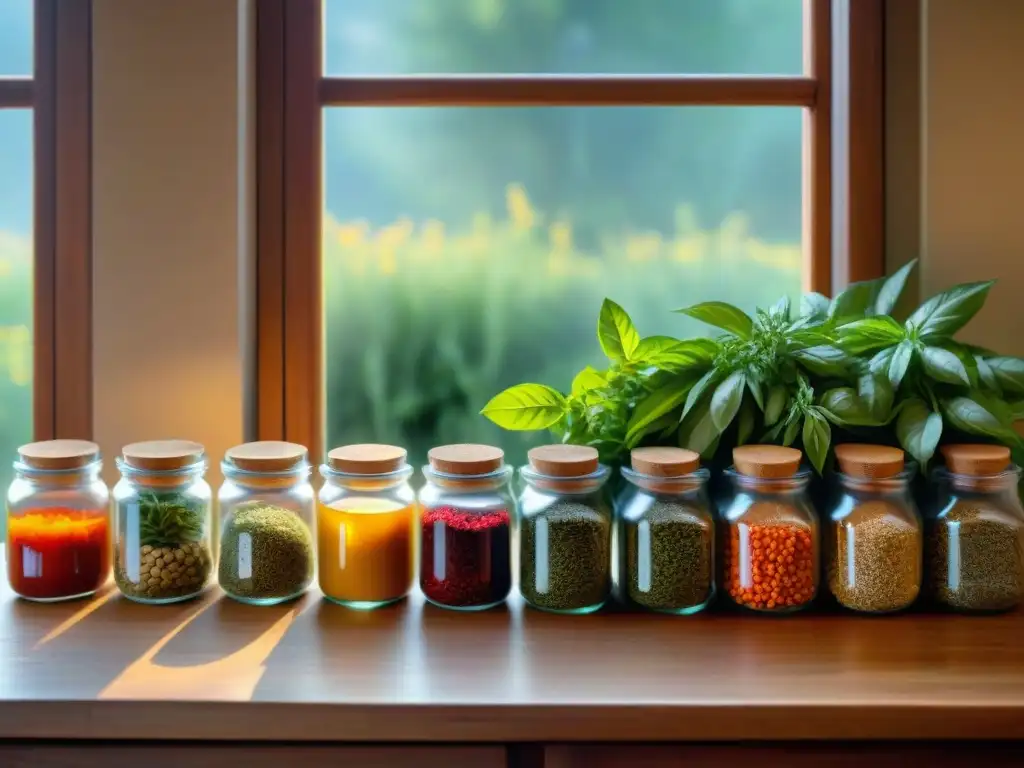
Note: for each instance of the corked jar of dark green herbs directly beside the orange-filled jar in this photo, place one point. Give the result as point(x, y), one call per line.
point(666, 532)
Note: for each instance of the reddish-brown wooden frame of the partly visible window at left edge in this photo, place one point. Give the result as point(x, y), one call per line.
point(59, 94)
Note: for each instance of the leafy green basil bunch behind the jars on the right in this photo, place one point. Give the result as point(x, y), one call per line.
point(789, 375)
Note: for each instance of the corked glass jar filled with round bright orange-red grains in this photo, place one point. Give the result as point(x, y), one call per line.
point(771, 541)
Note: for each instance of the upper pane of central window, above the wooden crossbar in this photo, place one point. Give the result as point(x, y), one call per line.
point(564, 36)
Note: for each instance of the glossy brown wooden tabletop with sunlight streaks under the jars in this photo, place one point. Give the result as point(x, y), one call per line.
point(314, 671)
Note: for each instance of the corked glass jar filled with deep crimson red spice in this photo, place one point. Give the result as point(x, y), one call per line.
point(465, 528)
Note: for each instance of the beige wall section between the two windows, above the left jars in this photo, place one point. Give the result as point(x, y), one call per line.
point(172, 223)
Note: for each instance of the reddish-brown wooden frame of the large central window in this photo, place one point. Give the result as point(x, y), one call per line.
point(842, 93)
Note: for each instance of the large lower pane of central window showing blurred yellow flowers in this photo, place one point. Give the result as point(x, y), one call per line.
point(467, 250)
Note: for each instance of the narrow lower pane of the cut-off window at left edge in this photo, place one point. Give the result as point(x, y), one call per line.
point(16, 286)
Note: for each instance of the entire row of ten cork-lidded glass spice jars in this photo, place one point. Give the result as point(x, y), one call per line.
point(666, 549)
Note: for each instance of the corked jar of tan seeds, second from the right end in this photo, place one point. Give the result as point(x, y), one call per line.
point(875, 535)
